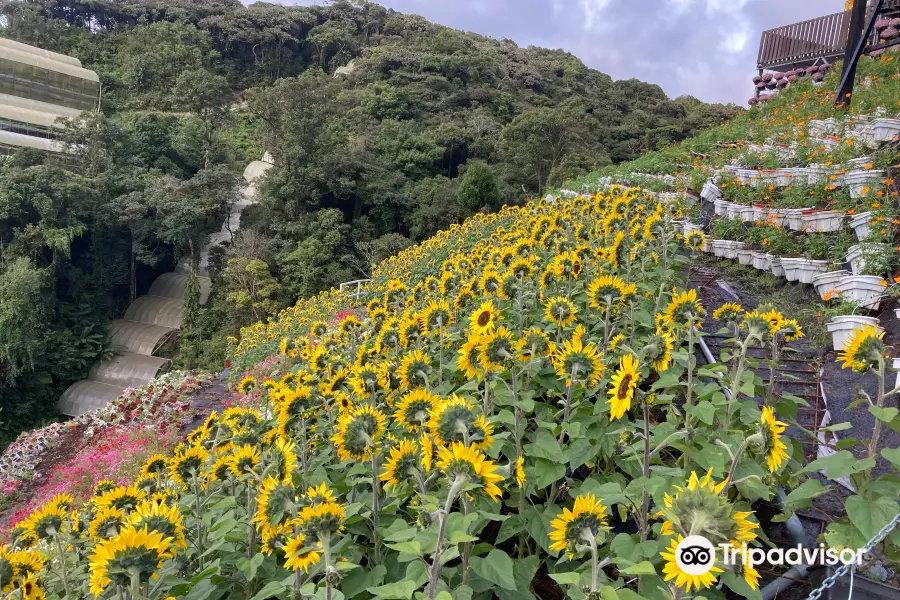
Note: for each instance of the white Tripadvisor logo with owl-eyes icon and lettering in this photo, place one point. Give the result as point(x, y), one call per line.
point(696, 555)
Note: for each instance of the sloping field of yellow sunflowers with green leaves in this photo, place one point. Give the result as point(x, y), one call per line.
point(514, 410)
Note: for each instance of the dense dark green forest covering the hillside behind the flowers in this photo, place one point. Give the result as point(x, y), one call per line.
point(384, 128)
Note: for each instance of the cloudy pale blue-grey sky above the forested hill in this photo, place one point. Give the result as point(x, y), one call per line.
point(706, 48)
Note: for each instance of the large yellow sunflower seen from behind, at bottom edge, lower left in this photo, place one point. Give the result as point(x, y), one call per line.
point(134, 553)
